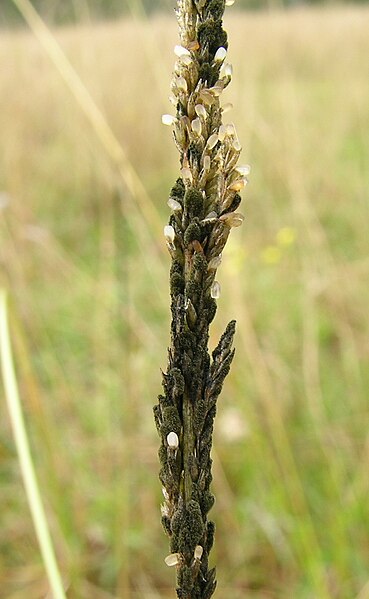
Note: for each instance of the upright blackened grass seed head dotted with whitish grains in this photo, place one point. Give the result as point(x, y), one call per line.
point(203, 202)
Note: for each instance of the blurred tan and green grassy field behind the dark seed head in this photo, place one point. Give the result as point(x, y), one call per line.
point(81, 213)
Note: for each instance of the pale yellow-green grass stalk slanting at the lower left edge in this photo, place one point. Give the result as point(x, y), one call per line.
point(24, 455)
